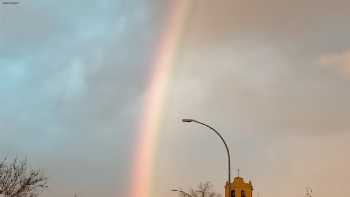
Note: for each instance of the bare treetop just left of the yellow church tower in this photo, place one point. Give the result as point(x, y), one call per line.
point(203, 190)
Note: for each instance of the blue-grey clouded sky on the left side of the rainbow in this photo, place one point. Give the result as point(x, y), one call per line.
point(72, 76)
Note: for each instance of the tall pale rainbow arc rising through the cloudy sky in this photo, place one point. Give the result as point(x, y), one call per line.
point(151, 117)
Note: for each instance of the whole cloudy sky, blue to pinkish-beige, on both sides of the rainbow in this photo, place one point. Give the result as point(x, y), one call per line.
point(272, 76)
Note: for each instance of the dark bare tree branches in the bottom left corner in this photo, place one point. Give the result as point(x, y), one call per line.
point(16, 180)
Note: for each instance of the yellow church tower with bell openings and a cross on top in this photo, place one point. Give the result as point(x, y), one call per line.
point(239, 188)
